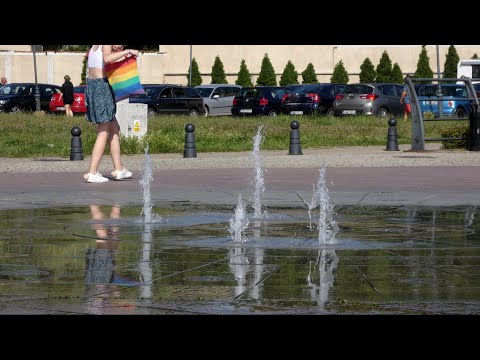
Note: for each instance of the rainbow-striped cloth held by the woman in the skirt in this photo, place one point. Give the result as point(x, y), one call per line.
point(123, 78)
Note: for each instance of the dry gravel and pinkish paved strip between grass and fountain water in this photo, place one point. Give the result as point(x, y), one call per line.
point(355, 175)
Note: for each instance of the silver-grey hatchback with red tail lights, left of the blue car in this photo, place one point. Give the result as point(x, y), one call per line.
point(380, 99)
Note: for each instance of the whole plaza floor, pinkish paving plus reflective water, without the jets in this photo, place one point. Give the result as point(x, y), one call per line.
point(408, 243)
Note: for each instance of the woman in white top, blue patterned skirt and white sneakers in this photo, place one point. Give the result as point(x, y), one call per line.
point(101, 110)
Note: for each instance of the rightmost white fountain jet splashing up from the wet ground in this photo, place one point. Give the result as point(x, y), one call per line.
point(327, 227)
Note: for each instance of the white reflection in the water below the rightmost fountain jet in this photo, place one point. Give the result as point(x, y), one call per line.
point(321, 275)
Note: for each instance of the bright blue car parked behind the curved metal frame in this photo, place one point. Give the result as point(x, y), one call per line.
point(452, 105)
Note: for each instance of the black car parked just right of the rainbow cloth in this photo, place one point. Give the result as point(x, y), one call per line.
point(170, 99)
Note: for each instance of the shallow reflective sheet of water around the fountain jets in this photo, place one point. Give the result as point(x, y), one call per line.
point(104, 260)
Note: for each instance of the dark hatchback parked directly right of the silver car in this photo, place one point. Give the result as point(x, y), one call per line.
point(259, 100)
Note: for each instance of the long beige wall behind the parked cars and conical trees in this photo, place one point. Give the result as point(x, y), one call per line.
point(171, 64)
